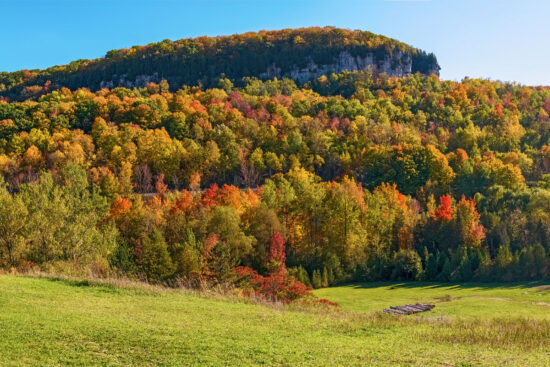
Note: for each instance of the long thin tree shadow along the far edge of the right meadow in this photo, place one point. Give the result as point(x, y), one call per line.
point(448, 285)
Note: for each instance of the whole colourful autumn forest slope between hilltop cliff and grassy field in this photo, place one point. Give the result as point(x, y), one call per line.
point(352, 176)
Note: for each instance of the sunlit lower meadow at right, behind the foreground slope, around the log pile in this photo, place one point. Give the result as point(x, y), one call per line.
point(461, 300)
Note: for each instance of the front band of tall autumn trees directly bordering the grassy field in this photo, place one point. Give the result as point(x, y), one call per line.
point(294, 231)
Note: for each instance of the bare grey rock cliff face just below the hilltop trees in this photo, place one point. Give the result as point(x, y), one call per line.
point(399, 65)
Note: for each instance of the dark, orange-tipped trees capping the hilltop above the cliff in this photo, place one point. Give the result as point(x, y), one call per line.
point(204, 60)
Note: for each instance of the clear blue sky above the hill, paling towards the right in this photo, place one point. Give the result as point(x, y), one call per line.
point(497, 39)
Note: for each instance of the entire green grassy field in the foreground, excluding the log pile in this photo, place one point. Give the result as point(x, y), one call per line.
point(50, 323)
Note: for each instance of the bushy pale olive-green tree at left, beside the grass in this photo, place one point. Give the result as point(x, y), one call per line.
point(66, 222)
